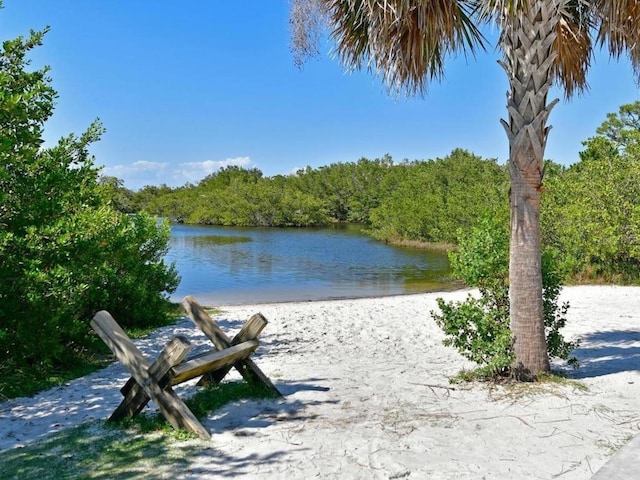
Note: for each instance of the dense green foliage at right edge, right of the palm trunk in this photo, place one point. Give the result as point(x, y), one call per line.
point(591, 211)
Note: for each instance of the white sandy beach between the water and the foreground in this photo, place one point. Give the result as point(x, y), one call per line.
point(367, 396)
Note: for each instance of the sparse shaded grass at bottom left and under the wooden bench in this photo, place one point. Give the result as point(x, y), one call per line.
point(144, 447)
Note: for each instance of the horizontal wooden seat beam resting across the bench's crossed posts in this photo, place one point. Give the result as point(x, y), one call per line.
point(197, 366)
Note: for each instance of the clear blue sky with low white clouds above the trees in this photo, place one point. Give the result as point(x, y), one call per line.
point(186, 87)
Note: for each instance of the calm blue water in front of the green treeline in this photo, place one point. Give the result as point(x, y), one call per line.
point(225, 265)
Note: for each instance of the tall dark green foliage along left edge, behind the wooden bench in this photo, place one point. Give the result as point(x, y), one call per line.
point(64, 251)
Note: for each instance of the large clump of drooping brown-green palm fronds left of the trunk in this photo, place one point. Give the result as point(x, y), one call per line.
point(405, 41)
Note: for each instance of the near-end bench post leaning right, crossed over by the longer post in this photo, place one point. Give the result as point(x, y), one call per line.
point(135, 397)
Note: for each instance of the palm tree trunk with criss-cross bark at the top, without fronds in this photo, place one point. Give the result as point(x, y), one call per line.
point(528, 57)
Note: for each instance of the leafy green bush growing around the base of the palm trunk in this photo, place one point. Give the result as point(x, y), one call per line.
point(479, 327)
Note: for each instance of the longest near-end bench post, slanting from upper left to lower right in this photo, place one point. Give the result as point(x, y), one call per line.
point(173, 409)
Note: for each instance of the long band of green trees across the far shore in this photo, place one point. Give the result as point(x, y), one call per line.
point(421, 200)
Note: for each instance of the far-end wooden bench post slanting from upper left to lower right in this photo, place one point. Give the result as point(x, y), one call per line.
point(247, 368)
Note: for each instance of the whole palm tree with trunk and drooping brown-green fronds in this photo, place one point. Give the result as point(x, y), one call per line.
point(542, 42)
